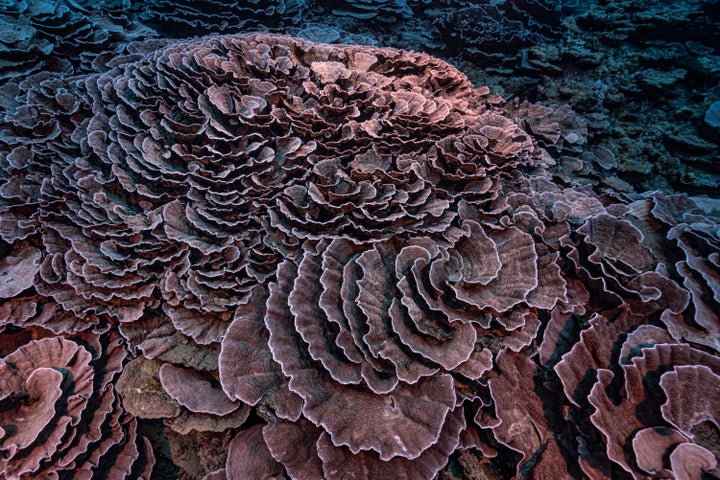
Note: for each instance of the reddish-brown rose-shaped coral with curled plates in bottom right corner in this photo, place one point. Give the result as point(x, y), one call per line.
point(651, 401)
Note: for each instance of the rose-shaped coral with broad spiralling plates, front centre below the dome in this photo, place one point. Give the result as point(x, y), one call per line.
point(367, 335)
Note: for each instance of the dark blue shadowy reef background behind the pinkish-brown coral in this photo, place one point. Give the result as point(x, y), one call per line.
point(642, 77)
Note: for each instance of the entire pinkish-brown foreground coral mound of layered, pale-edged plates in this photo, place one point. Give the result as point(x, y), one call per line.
point(332, 262)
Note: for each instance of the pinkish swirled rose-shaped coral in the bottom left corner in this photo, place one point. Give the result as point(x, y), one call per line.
point(60, 414)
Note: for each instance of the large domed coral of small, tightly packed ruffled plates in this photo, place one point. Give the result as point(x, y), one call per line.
point(193, 181)
